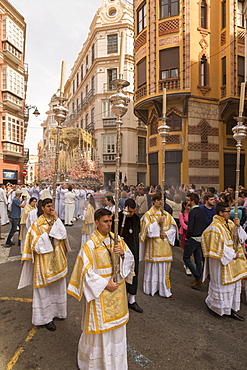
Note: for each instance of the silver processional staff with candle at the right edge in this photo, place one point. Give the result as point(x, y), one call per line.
point(239, 134)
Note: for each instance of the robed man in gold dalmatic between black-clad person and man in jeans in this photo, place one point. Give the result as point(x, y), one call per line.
point(157, 236)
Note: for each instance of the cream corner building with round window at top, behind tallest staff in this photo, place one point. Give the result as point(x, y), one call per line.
point(90, 86)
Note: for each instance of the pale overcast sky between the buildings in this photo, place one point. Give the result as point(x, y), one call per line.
point(56, 31)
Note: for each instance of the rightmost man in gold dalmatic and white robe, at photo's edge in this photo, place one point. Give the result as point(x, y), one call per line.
point(225, 262)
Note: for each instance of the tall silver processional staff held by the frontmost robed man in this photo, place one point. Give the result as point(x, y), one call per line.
point(119, 102)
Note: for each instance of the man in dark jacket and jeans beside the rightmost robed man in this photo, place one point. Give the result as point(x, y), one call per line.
point(192, 245)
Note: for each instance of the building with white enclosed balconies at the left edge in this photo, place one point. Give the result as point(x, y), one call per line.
point(14, 76)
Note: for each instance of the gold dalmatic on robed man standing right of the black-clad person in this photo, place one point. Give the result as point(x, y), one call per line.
point(157, 249)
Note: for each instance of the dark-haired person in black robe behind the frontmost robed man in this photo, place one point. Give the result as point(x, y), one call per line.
point(130, 230)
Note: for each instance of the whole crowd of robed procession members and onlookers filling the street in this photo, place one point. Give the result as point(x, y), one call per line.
point(202, 222)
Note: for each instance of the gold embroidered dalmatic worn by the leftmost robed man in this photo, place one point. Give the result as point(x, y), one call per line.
point(48, 267)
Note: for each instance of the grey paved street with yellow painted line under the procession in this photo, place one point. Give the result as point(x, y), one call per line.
point(177, 334)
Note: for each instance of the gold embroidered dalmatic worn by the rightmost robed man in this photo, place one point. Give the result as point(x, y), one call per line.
point(214, 239)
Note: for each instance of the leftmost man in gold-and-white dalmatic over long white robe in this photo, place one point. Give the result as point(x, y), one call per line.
point(45, 267)
